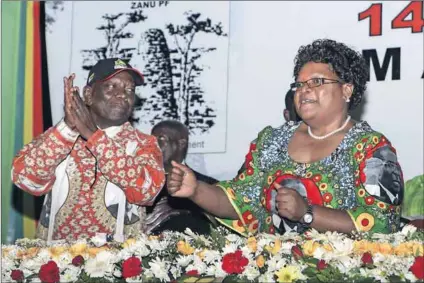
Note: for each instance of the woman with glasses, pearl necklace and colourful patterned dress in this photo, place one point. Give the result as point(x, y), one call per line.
point(327, 172)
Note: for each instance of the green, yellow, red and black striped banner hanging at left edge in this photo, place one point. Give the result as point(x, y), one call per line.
point(21, 109)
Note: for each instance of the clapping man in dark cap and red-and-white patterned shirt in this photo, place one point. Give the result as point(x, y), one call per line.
point(98, 171)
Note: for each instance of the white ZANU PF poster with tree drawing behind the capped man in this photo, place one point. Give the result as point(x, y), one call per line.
point(181, 47)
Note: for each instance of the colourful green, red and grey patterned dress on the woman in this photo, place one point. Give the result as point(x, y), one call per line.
point(362, 176)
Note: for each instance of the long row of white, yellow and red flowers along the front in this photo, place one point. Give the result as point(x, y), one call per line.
point(221, 257)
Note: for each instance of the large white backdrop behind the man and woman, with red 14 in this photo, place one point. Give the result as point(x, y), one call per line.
point(231, 64)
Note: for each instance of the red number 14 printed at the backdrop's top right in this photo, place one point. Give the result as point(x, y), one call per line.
point(374, 12)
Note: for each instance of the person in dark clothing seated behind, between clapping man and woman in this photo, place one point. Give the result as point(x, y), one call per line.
point(171, 213)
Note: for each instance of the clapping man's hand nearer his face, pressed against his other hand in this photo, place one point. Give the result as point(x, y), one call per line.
point(82, 118)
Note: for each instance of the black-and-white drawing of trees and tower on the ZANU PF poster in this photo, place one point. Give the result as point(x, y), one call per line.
point(171, 72)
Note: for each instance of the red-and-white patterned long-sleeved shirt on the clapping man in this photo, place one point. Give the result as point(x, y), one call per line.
point(94, 187)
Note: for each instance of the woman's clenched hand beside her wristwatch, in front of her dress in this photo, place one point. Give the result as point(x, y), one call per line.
point(290, 203)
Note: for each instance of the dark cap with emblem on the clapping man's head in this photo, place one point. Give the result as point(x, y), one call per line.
point(107, 68)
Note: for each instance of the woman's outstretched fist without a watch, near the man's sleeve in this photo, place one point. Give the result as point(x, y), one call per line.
point(181, 181)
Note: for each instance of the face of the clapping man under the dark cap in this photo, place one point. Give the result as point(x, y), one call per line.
point(113, 100)
